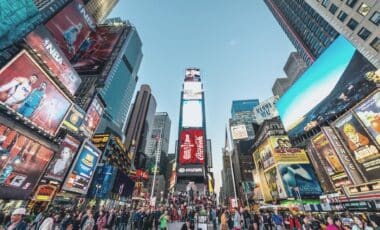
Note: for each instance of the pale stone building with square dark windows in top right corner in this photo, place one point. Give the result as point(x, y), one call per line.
point(357, 20)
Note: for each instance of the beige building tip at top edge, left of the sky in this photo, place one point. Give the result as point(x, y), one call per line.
point(100, 9)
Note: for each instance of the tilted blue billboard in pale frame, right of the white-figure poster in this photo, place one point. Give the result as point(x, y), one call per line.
point(80, 175)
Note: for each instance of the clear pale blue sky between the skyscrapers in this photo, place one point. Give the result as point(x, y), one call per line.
point(237, 44)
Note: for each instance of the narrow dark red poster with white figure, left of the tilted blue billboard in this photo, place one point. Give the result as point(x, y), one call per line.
point(62, 160)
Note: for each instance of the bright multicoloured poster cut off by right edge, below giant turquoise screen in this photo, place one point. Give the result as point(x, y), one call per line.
point(369, 113)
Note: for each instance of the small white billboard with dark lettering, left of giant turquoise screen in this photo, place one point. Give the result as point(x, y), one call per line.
point(266, 110)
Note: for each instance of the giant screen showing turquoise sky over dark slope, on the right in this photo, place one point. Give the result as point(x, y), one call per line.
point(335, 82)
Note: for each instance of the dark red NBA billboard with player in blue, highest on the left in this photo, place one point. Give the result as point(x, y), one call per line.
point(70, 27)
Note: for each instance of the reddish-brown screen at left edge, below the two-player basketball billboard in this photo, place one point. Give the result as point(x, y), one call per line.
point(22, 163)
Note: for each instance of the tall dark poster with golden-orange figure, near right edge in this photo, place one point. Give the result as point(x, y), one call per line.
point(363, 150)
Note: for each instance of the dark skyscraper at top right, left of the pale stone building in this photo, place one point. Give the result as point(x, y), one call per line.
point(306, 29)
